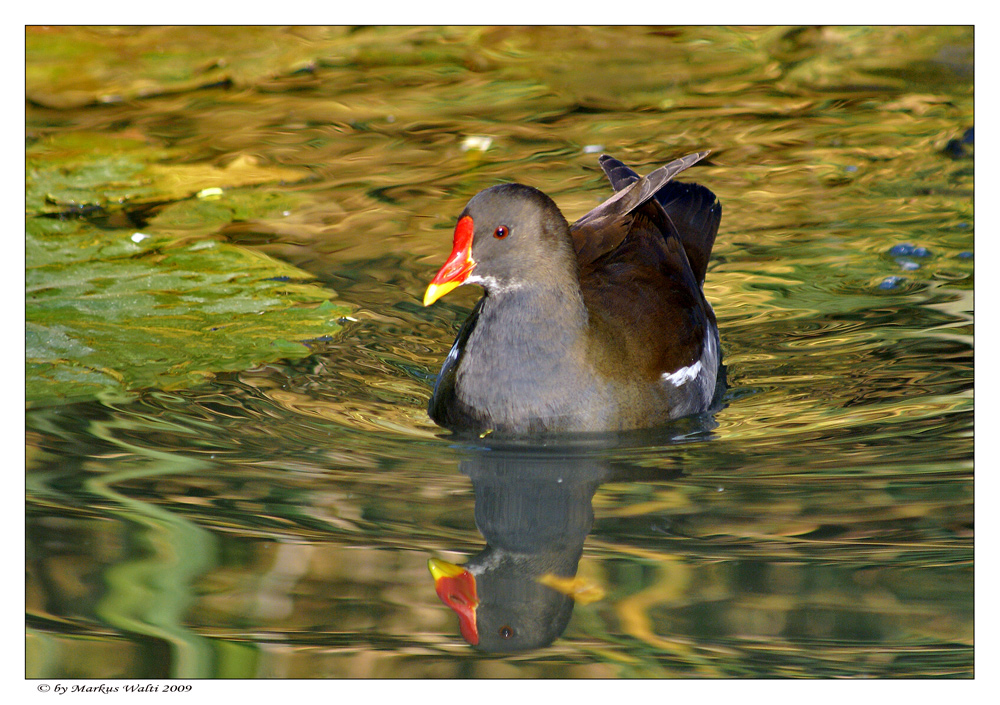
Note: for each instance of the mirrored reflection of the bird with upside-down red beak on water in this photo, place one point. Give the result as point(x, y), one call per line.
point(533, 507)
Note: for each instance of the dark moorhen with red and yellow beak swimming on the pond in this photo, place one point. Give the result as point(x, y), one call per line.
point(597, 326)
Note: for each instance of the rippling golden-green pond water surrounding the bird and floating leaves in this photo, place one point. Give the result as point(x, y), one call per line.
point(276, 520)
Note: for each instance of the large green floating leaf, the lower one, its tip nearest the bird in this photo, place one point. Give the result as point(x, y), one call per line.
point(107, 314)
